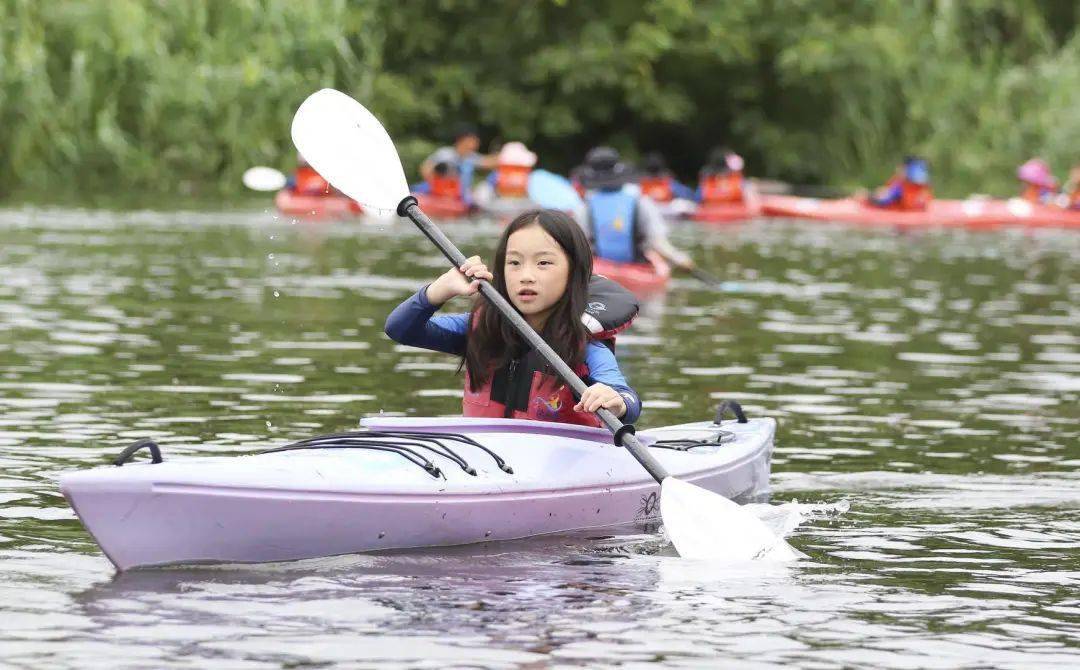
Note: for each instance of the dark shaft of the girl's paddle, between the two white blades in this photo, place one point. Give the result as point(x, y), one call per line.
point(625, 435)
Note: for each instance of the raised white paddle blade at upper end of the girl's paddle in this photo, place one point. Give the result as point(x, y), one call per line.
point(348, 146)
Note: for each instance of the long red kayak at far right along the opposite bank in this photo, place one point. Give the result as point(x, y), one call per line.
point(974, 213)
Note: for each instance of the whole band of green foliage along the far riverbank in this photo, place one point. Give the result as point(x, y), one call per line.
point(183, 97)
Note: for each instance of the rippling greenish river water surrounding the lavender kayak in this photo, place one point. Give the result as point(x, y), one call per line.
point(926, 382)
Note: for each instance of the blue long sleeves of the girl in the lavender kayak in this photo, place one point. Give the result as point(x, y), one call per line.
point(414, 324)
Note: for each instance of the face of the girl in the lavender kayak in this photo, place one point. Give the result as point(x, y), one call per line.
point(537, 272)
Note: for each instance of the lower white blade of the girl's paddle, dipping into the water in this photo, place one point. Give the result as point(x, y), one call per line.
point(707, 526)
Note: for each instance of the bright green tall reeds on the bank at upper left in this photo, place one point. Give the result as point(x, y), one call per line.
point(172, 97)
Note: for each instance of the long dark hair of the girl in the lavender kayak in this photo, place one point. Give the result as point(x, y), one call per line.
point(493, 342)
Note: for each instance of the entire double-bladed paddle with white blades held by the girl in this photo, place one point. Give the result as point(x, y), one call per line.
point(352, 150)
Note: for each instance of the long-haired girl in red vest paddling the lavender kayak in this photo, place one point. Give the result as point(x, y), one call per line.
point(543, 266)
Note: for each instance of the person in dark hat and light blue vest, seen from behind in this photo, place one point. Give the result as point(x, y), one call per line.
point(624, 225)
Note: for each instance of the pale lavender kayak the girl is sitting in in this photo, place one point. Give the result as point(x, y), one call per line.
point(403, 484)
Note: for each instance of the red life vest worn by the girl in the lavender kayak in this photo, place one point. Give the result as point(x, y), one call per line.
point(549, 399)
